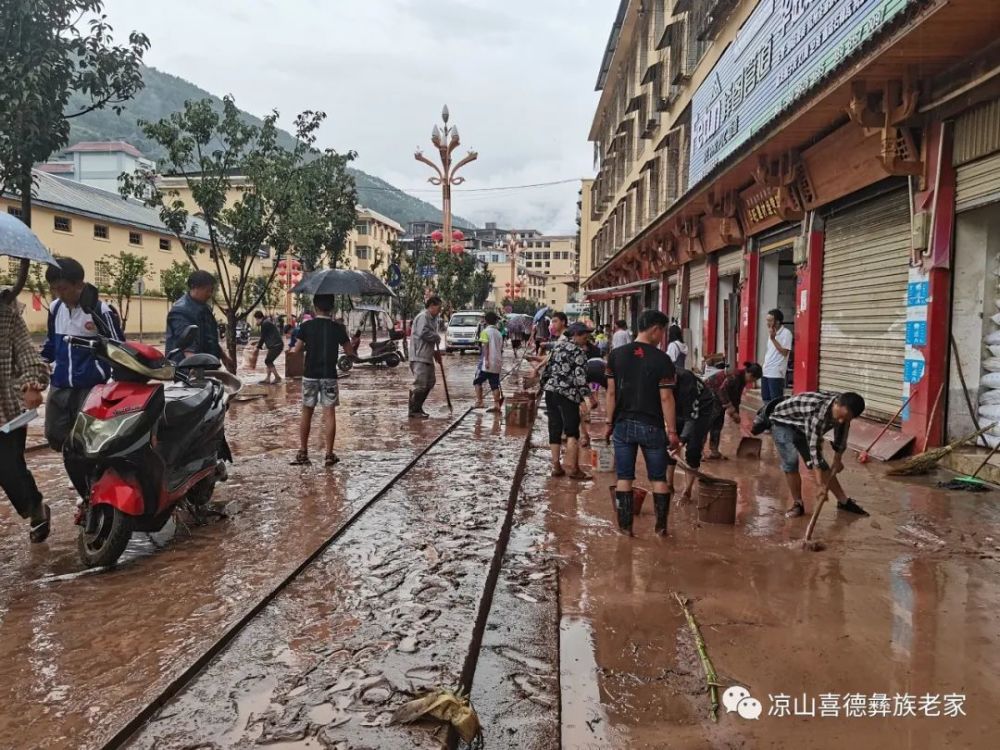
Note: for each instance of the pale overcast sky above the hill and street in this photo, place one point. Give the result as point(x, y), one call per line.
point(518, 76)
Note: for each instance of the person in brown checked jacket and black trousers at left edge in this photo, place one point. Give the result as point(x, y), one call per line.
point(23, 377)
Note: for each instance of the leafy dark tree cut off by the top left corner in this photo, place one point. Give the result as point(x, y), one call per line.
point(50, 49)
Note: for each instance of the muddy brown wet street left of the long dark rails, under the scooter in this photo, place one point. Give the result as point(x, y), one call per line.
point(80, 653)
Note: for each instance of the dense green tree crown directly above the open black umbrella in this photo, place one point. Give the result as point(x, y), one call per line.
point(324, 211)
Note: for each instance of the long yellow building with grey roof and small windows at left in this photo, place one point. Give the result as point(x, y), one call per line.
point(88, 224)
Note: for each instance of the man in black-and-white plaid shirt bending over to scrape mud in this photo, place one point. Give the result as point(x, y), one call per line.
point(798, 425)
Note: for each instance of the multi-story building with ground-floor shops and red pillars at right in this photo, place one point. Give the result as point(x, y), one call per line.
point(836, 159)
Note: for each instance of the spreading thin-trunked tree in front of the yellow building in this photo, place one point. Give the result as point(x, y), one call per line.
point(246, 189)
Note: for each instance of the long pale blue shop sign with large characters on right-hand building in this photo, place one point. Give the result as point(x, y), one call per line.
point(783, 52)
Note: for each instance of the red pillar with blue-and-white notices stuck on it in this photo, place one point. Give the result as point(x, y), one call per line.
point(936, 275)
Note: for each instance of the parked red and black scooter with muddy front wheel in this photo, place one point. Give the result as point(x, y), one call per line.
point(138, 450)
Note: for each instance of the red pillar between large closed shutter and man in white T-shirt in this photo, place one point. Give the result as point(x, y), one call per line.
point(808, 304)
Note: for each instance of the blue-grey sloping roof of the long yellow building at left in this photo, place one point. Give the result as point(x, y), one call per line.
point(75, 197)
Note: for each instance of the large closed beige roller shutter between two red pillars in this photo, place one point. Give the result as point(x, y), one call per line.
point(865, 276)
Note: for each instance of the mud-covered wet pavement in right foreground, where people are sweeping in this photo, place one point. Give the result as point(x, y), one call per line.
point(903, 603)
